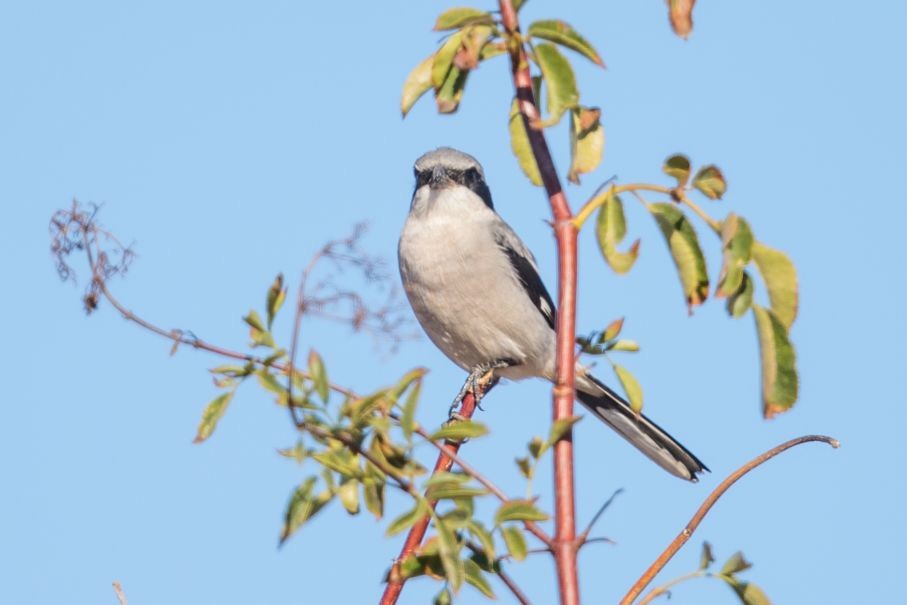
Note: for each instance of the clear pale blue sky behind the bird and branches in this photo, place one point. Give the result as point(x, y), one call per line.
point(228, 141)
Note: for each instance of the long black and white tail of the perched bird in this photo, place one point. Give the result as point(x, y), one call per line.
point(644, 434)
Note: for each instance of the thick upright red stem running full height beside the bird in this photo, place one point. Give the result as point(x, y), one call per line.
point(565, 544)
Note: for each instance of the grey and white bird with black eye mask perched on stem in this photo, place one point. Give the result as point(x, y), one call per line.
point(475, 289)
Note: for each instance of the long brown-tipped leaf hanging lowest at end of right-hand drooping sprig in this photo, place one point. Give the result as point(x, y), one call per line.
point(779, 371)
